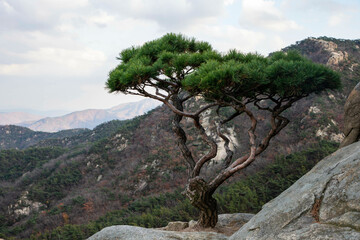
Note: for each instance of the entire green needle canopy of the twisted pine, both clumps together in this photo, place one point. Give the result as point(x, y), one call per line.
point(171, 60)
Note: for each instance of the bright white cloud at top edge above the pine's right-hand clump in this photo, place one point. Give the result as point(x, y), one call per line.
point(264, 14)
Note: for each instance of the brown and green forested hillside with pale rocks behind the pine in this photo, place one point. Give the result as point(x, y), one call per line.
point(115, 173)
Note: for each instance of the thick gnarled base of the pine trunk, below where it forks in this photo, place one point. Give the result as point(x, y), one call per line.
point(200, 197)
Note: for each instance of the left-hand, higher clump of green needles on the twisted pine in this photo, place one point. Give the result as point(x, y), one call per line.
point(160, 63)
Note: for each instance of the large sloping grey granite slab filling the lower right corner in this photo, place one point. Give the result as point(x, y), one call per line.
point(323, 204)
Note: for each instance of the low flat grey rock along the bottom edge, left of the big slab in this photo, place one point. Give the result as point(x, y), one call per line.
point(138, 233)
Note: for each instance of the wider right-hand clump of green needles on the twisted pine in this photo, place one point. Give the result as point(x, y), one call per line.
point(285, 75)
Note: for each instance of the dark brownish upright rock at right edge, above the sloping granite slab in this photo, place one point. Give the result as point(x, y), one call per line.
point(352, 117)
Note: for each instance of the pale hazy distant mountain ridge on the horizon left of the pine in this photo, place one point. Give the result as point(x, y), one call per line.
point(89, 118)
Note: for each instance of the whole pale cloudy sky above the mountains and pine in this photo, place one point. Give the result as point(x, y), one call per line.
point(55, 55)
